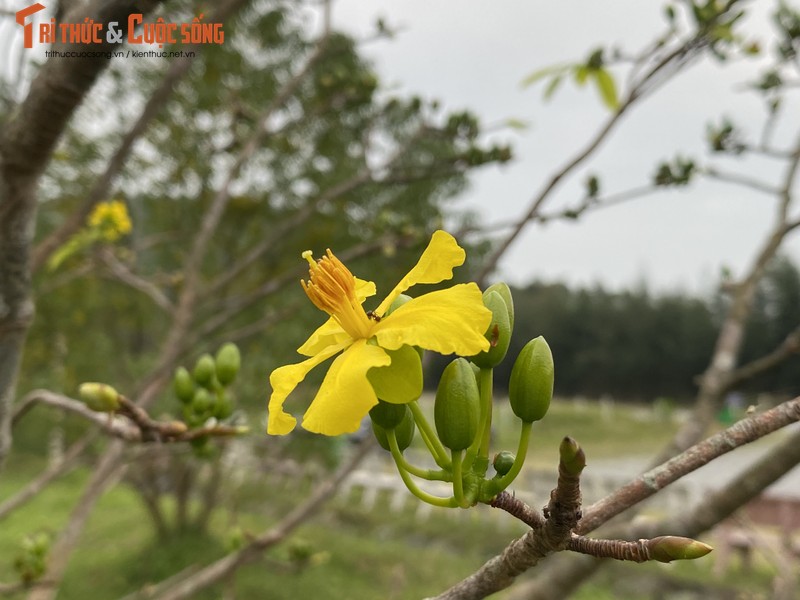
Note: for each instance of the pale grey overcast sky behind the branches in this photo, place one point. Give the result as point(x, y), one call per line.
point(474, 53)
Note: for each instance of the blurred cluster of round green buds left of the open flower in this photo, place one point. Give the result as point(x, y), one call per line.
point(204, 393)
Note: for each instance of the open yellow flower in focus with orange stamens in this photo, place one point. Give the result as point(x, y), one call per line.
point(449, 321)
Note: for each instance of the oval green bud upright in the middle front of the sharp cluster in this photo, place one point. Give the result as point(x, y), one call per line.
point(456, 410)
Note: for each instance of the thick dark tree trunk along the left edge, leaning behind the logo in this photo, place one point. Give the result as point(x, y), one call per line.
point(27, 141)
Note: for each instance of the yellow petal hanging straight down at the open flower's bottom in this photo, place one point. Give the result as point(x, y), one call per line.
point(346, 395)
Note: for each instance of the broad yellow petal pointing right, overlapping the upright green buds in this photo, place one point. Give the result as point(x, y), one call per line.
point(451, 321)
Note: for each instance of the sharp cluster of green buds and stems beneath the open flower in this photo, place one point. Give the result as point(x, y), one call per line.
point(462, 409)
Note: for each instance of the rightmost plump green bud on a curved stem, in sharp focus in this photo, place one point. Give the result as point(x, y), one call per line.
point(530, 388)
